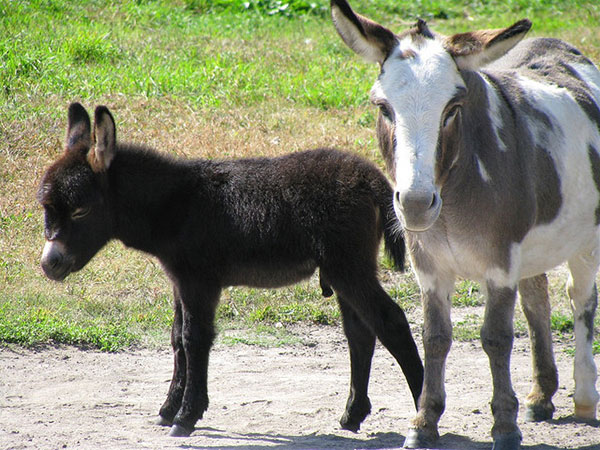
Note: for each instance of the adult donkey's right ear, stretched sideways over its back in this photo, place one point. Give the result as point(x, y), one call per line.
point(475, 49)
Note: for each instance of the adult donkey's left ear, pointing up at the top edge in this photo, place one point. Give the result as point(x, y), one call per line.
point(367, 38)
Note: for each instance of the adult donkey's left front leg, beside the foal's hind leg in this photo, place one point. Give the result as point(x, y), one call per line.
point(437, 339)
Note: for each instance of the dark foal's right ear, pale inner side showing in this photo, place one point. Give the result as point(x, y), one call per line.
point(105, 140)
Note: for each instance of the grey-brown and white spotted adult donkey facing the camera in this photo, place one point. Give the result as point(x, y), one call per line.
point(494, 147)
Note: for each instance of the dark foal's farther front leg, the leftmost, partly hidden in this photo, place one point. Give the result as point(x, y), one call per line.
point(175, 394)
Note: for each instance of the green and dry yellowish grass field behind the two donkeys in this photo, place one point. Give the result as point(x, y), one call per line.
point(199, 78)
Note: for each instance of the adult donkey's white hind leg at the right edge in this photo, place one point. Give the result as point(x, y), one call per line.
point(582, 292)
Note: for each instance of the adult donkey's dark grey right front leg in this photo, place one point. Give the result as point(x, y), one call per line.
point(497, 340)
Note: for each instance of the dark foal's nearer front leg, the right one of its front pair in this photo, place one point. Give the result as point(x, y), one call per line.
point(198, 305)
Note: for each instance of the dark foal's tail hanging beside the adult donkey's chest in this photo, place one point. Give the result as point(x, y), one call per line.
point(393, 236)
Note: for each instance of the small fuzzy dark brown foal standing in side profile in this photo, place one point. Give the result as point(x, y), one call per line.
point(263, 222)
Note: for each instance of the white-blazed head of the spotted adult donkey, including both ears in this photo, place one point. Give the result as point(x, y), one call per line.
point(419, 92)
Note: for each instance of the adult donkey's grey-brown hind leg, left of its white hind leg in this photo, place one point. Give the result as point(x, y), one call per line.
point(536, 306)
